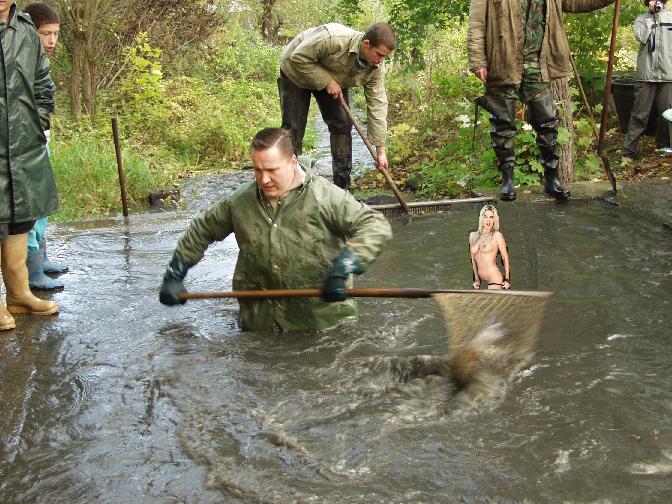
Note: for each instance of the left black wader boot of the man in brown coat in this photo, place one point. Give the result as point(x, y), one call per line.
point(503, 129)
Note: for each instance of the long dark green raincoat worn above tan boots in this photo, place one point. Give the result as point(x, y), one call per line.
point(27, 185)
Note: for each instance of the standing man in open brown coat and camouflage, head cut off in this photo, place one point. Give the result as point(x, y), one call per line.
point(516, 47)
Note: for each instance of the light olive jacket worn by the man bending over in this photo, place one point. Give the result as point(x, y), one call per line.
point(318, 55)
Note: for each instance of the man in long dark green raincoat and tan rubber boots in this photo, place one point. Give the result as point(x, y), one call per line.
point(27, 185)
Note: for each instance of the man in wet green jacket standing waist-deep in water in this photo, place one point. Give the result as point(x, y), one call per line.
point(294, 230)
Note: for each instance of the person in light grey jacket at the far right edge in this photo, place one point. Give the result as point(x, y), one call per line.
point(653, 30)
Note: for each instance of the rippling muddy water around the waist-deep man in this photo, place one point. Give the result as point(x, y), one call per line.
point(119, 399)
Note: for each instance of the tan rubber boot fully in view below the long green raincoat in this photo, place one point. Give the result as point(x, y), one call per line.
point(15, 273)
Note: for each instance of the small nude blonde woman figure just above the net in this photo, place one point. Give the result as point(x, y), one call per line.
point(484, 246)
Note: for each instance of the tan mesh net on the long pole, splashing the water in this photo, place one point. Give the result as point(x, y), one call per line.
point(497, 329)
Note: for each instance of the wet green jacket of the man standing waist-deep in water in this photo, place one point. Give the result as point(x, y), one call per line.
point(291, 248)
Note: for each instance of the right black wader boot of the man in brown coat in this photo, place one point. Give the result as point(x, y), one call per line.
point(542, 117)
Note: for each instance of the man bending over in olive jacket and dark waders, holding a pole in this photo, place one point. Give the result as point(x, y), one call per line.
point(325, 61)
